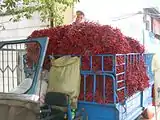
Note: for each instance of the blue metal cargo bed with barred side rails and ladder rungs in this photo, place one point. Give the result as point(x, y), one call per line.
point(133, 106)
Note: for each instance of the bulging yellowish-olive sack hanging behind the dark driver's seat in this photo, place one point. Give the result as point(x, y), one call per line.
point(65, 77)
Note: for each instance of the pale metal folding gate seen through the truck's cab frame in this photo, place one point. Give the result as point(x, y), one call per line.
point(11, 66)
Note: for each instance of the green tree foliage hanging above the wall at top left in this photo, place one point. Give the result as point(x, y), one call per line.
point(48, 9)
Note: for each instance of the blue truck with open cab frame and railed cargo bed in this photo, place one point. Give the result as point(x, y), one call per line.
point(21, 99)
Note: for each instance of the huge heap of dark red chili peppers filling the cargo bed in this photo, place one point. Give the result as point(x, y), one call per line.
point(90, 39)
